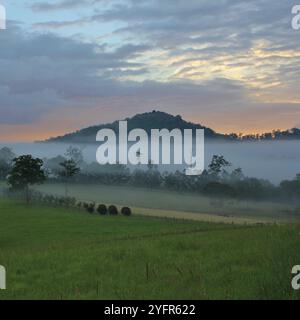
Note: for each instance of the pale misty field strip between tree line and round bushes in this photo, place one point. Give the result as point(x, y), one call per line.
point(179, 205)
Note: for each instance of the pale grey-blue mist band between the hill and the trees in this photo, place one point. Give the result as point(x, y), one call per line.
point(274, 160)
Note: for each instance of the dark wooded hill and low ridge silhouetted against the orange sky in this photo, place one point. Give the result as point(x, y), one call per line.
point(161, 120)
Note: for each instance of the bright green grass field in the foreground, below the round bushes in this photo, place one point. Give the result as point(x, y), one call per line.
point(56, 253)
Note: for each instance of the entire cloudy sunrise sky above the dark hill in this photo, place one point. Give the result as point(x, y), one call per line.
point(227, 64)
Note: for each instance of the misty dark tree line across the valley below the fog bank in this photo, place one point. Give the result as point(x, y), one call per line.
point(219, 180)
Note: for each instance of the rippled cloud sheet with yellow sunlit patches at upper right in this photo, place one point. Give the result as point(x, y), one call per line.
point(196, 40)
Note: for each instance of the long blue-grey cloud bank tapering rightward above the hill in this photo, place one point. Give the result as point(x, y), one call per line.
point(46, 73)
